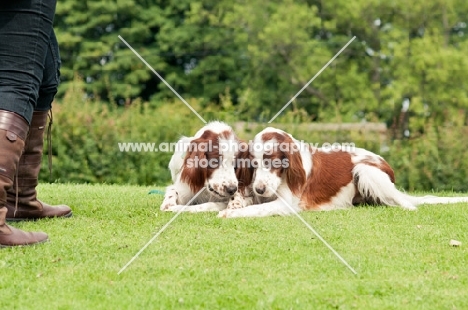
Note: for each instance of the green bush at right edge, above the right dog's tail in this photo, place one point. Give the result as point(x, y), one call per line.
point(435, 161)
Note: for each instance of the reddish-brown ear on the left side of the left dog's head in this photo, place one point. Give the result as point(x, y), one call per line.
point(193, 171)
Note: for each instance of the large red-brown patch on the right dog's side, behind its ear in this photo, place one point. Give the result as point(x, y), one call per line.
point(330, 172)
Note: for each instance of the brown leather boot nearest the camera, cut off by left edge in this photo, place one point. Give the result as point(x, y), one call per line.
point(13, 131)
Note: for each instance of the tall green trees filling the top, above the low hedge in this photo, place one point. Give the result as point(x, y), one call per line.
point(263, 52)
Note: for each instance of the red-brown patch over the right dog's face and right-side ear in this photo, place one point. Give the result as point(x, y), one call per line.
point(295, 174)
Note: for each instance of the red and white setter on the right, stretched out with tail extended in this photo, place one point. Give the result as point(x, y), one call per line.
point(291, 176)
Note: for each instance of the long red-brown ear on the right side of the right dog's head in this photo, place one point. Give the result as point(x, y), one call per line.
point(295, 173)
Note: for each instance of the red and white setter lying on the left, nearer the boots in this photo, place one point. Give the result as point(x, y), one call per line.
point(206, 161)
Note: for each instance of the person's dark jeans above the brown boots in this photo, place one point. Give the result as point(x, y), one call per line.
point(29, 56)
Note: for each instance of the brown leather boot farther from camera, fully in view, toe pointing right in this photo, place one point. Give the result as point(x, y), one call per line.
point(27, 206)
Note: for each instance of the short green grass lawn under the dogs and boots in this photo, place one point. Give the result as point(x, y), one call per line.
point(403, 259)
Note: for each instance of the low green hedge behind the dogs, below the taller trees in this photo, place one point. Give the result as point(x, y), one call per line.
point(86, 134)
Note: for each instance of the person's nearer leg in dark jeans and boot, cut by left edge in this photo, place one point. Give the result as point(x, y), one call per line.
point(25, 27)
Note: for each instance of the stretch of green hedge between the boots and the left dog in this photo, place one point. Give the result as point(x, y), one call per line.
point(86, 137)
